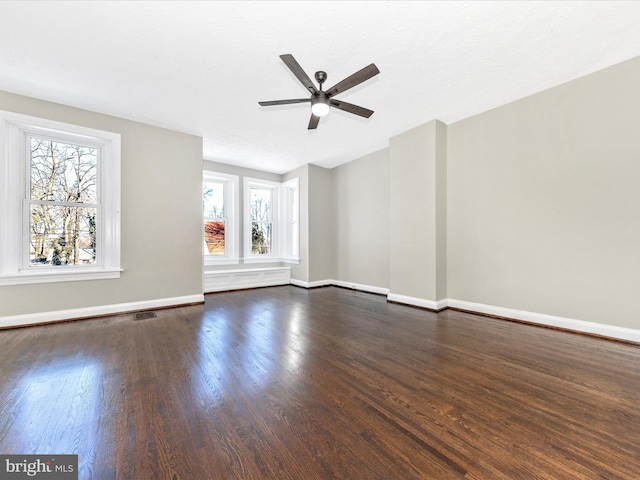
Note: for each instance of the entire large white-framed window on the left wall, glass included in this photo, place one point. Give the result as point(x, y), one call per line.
point(59, 218)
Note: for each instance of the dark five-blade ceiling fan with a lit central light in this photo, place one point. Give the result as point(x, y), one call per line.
point(320, 100)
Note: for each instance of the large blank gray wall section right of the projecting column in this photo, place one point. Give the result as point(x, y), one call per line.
point(543, 201)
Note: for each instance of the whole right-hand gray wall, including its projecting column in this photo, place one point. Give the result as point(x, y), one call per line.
point(540, 205)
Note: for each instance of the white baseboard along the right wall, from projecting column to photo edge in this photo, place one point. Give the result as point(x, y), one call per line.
point(583, 326)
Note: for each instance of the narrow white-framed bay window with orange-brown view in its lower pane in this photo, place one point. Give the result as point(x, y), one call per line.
point(219, 192)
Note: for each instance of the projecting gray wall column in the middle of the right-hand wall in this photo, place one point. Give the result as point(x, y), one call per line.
point(417, 211)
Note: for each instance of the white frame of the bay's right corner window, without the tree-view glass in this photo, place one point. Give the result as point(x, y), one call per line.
point(285, 220)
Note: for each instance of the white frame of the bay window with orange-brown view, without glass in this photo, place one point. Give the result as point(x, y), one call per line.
point(231, 195)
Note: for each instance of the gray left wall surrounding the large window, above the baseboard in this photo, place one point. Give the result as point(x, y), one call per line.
point(161, 217)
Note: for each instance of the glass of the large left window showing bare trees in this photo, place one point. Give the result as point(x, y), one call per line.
point(63, 203)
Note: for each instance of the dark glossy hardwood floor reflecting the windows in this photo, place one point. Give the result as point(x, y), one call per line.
point(286, 383)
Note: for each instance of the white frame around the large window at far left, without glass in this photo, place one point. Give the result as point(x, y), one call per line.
point(15, 268)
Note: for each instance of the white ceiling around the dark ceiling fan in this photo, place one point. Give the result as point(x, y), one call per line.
point(201, 67)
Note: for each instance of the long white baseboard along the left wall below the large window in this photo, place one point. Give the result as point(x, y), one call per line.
point(76, 313)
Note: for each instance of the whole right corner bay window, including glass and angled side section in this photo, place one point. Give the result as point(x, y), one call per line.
point(271, 221)
